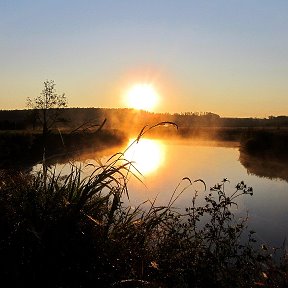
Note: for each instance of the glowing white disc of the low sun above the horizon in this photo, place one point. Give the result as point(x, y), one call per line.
point(142, 97)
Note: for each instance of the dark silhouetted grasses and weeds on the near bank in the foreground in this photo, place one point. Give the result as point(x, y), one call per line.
point(76, 231)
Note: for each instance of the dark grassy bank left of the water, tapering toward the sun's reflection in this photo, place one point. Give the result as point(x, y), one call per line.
point(25, 149)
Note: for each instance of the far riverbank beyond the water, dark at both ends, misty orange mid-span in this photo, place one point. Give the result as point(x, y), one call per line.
point(18, 148)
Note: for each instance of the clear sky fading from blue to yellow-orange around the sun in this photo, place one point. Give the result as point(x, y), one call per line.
point(228, 57)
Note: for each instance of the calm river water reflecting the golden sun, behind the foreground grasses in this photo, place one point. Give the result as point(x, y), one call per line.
point(164, 163)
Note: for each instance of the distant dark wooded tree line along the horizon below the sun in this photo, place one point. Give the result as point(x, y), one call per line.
point(118, 118)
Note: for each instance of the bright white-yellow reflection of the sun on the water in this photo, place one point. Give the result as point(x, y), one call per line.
point(147, 155)
